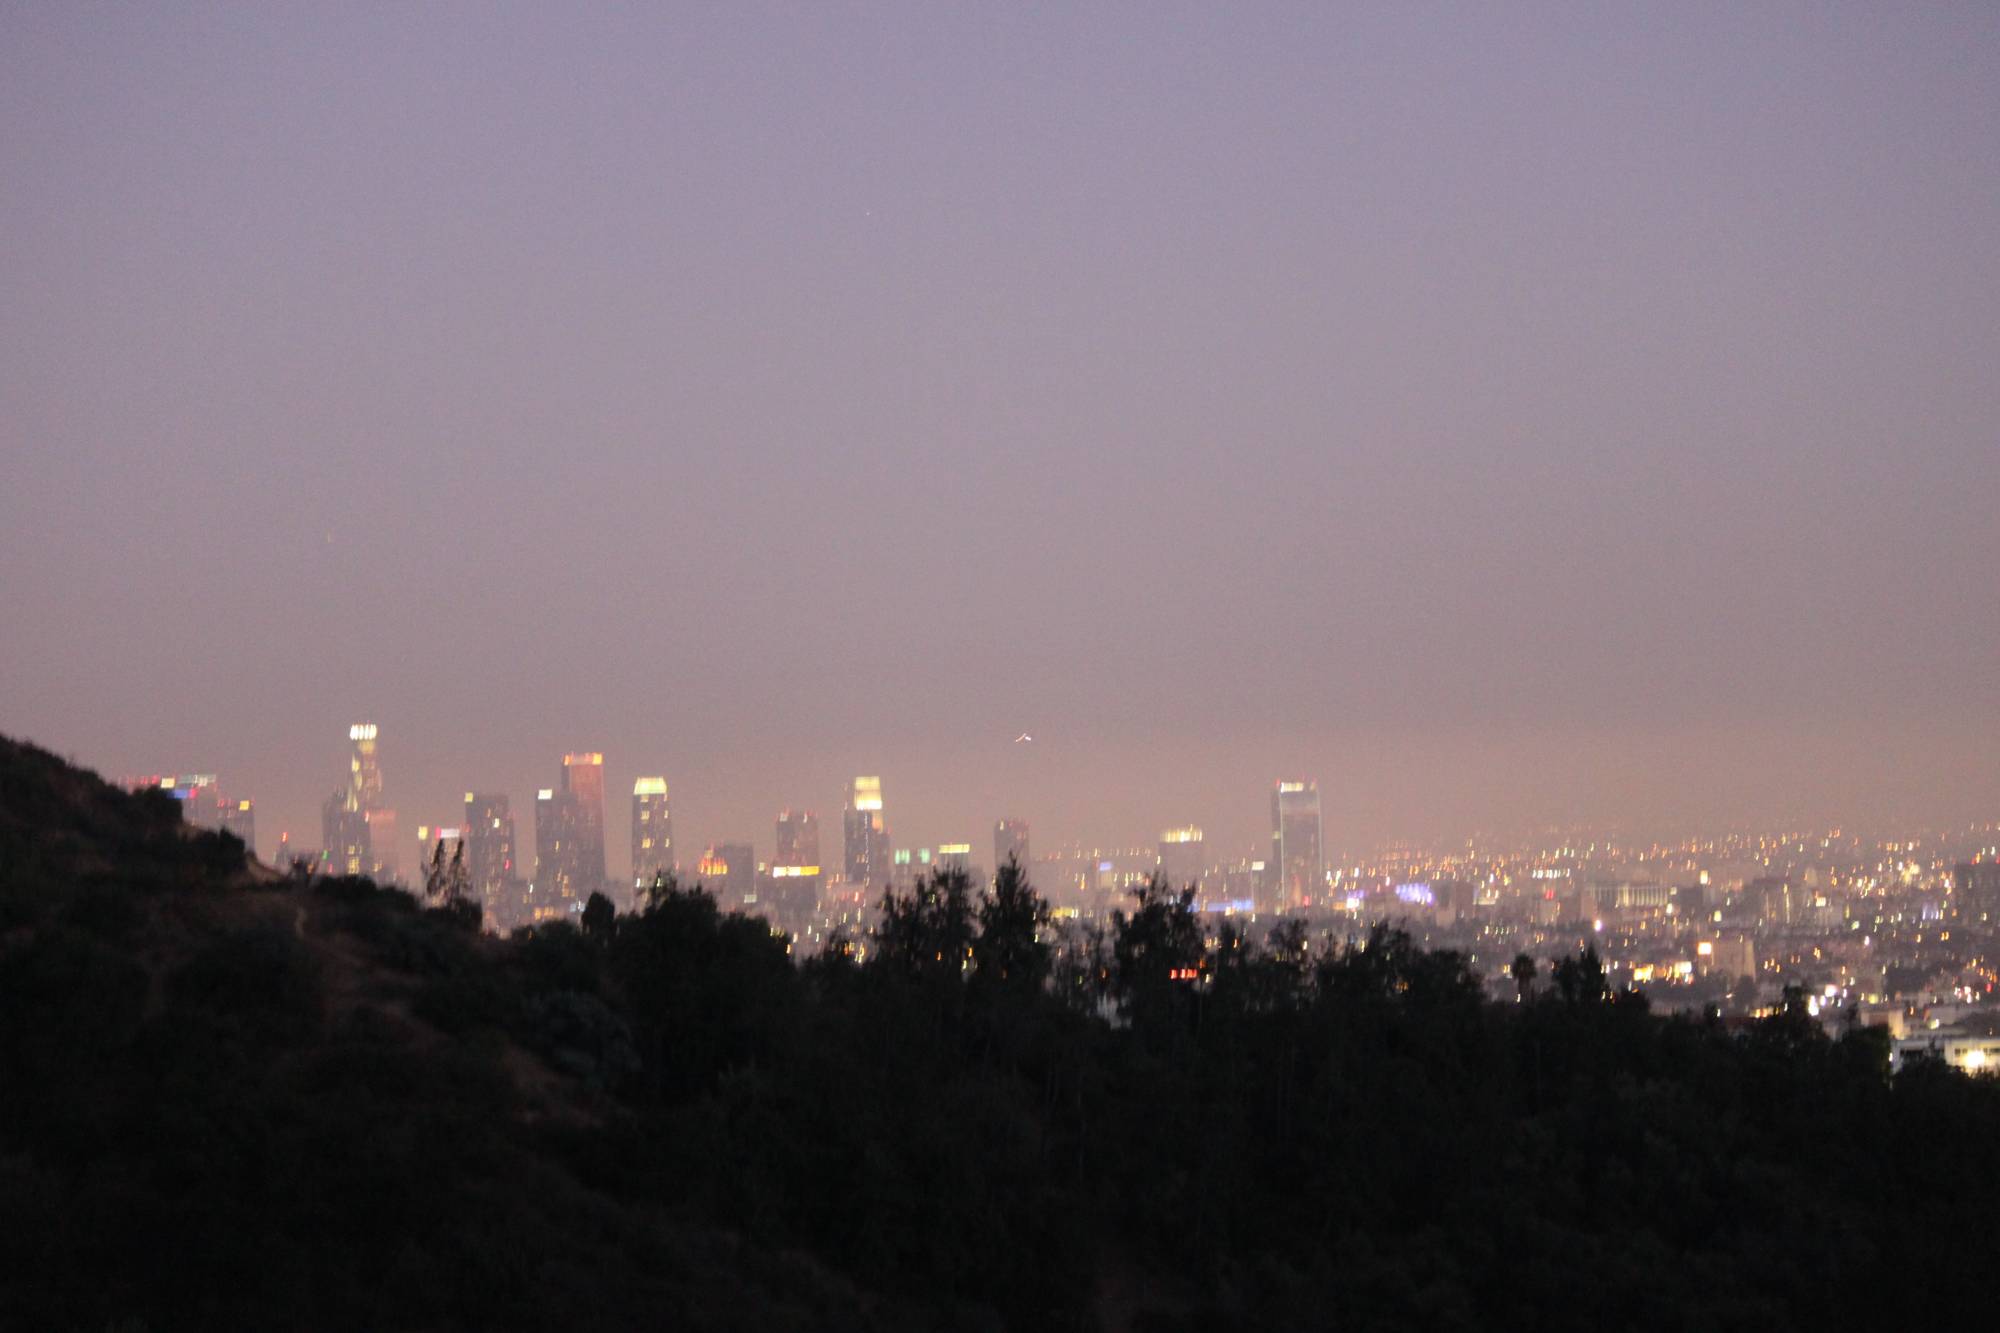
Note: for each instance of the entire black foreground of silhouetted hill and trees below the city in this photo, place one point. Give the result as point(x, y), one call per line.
point(321, 1106)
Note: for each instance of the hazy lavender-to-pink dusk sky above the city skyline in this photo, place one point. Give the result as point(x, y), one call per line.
point(1503, 415)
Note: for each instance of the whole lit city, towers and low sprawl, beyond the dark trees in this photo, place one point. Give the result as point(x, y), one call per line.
point(1891, 932)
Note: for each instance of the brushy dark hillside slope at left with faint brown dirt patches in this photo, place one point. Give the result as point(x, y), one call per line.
point(227, 1104)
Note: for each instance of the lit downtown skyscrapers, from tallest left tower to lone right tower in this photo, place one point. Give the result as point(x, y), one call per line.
point(795, 890)
